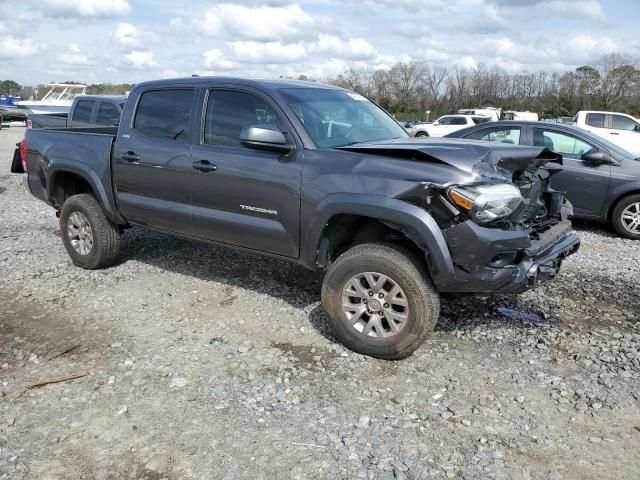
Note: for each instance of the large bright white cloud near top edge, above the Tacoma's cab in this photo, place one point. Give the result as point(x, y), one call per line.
point(265, 23)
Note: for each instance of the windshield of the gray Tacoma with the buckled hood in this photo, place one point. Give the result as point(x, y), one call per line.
point(336, 118)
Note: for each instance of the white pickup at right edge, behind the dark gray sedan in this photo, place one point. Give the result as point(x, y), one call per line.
point(619, 128)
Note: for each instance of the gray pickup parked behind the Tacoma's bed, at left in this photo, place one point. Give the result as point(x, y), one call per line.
point(85, 111)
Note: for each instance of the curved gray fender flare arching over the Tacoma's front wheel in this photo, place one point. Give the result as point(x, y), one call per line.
point(416, 223)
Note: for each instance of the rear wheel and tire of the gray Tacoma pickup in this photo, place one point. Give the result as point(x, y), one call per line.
point(91, 239)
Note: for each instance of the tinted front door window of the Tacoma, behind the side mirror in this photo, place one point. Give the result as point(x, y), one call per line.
point(228, 112)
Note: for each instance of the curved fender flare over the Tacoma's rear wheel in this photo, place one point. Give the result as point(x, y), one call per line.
point(105, 200)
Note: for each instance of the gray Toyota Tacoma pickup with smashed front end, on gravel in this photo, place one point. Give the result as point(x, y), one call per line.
point(316, 175)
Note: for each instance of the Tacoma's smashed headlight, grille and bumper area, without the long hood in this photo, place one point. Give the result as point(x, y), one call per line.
point(509, 230)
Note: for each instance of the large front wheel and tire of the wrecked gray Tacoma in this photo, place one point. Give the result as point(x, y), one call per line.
point(380, 300)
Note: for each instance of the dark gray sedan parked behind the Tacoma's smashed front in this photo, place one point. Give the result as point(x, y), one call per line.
point(601, 180)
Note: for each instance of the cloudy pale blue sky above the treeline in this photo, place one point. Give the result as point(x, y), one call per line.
point(96, 41)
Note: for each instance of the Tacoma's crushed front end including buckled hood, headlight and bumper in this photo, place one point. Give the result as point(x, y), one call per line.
point(506, 229)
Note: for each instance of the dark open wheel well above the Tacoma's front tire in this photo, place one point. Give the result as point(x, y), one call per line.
point(345, 231)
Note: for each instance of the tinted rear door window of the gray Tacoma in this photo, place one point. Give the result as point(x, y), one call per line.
point(165, 114)
